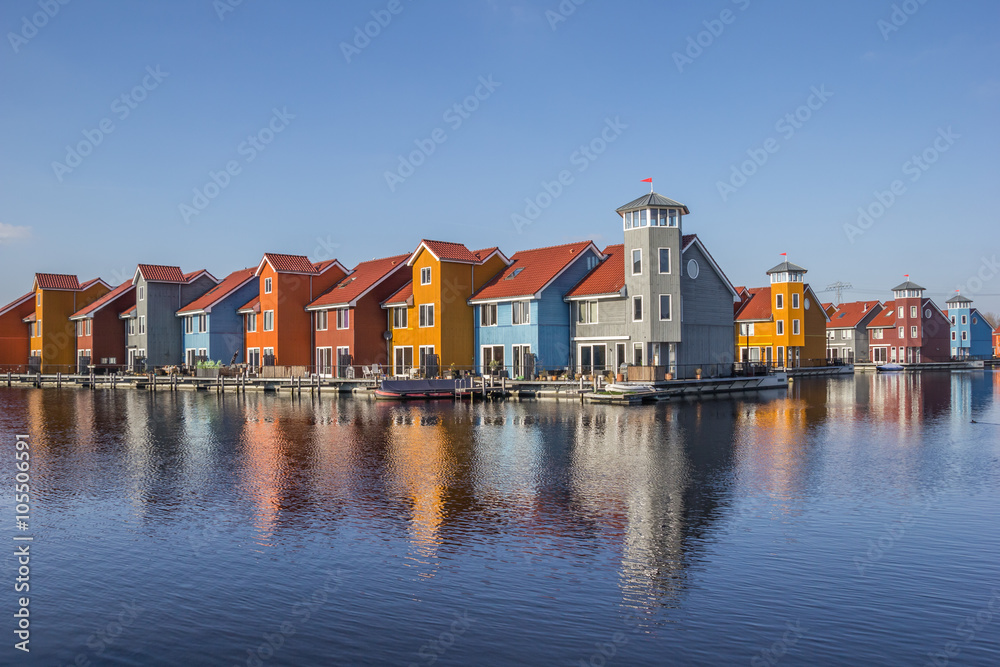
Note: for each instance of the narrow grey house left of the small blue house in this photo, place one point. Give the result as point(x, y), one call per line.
point(154, 336)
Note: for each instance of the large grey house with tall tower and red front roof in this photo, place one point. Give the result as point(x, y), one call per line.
point(658, 301)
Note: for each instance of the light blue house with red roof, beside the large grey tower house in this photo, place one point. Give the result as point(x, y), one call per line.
point(522, 322)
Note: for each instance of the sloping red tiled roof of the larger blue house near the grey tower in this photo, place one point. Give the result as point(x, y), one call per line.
point(531, 271)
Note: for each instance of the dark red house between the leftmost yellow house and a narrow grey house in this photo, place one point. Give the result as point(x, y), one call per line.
point(100, 337)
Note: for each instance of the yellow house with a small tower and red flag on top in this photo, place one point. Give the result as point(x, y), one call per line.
point(783, 325)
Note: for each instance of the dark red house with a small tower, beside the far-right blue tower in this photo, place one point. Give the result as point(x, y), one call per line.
point(911, 329)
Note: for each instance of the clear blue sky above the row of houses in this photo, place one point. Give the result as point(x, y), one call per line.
point(684, 93)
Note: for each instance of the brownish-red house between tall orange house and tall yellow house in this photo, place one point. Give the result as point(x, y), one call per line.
point(348, 319)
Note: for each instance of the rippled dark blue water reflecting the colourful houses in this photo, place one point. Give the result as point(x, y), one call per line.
point(843, 522)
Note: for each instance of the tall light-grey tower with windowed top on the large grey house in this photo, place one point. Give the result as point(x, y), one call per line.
point(652, 227)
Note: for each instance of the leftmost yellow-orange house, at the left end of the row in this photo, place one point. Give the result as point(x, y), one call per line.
point(53, 334)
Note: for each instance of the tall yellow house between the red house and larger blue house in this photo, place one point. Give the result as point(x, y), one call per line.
point(430, 323)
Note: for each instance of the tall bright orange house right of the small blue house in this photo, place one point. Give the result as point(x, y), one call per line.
point(277, 328)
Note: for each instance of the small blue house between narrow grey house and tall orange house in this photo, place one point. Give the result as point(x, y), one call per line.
point(212, 329)
